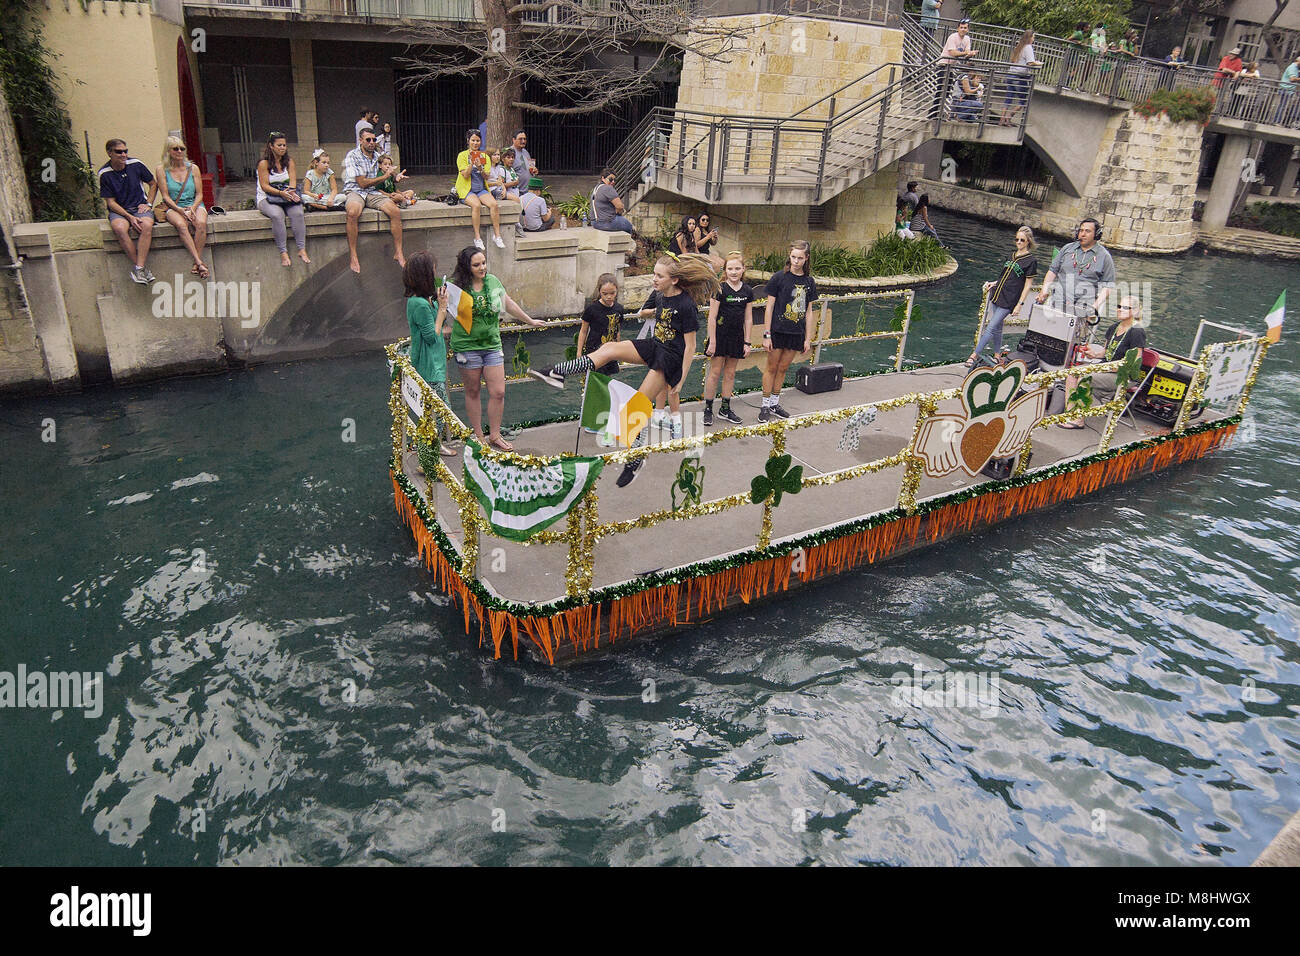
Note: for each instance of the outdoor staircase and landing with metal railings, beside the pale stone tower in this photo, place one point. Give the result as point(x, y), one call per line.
point(822, 150)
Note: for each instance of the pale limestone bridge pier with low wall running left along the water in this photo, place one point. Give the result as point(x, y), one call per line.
point(1142, 189)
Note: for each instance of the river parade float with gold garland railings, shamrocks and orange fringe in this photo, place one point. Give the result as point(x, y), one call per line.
point(543, 552)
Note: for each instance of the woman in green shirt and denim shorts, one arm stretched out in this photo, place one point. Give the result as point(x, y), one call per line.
point(475, 304)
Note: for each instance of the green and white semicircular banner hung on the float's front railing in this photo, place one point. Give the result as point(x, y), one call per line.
point(522, 501)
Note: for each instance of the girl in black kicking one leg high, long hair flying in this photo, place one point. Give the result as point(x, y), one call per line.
point(678, 283)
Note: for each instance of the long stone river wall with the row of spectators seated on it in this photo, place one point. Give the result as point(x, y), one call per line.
point(96, 326)
